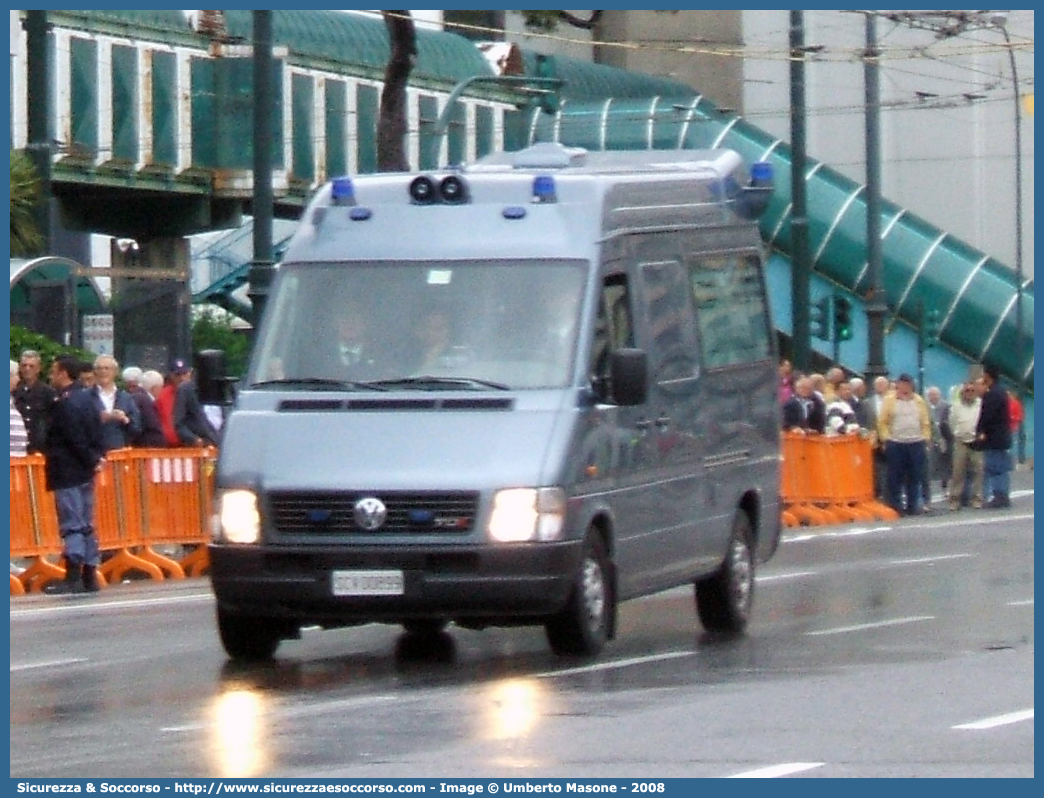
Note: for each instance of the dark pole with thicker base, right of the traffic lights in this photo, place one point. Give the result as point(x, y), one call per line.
point(876, 307)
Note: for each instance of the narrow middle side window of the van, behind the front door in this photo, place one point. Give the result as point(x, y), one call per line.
point(673, 346)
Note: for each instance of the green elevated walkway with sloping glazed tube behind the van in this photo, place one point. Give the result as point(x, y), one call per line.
point(102, 172)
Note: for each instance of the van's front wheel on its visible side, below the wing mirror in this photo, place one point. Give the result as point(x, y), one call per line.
point(582, 627)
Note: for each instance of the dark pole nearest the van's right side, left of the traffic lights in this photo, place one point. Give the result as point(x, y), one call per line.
point(799, 219)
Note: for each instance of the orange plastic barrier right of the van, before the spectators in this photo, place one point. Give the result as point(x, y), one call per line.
point(828, 480)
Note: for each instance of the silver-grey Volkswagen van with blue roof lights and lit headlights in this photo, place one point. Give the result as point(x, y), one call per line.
point(517, 393)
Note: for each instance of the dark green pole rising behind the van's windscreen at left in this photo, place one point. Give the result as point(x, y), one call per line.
point(263, 266)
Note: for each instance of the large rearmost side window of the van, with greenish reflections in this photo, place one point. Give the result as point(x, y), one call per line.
point(731, 308)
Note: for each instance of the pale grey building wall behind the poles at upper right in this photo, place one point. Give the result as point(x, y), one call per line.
point(948, 159)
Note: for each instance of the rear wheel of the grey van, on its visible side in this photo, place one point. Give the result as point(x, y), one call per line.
point(724, 600)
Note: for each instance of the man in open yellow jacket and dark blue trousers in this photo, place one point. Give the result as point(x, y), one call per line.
point(905, 429)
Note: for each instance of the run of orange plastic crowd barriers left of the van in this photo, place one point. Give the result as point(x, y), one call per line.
point(145, 499)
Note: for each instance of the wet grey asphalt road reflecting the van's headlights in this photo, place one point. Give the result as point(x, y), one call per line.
point(871, 652)
